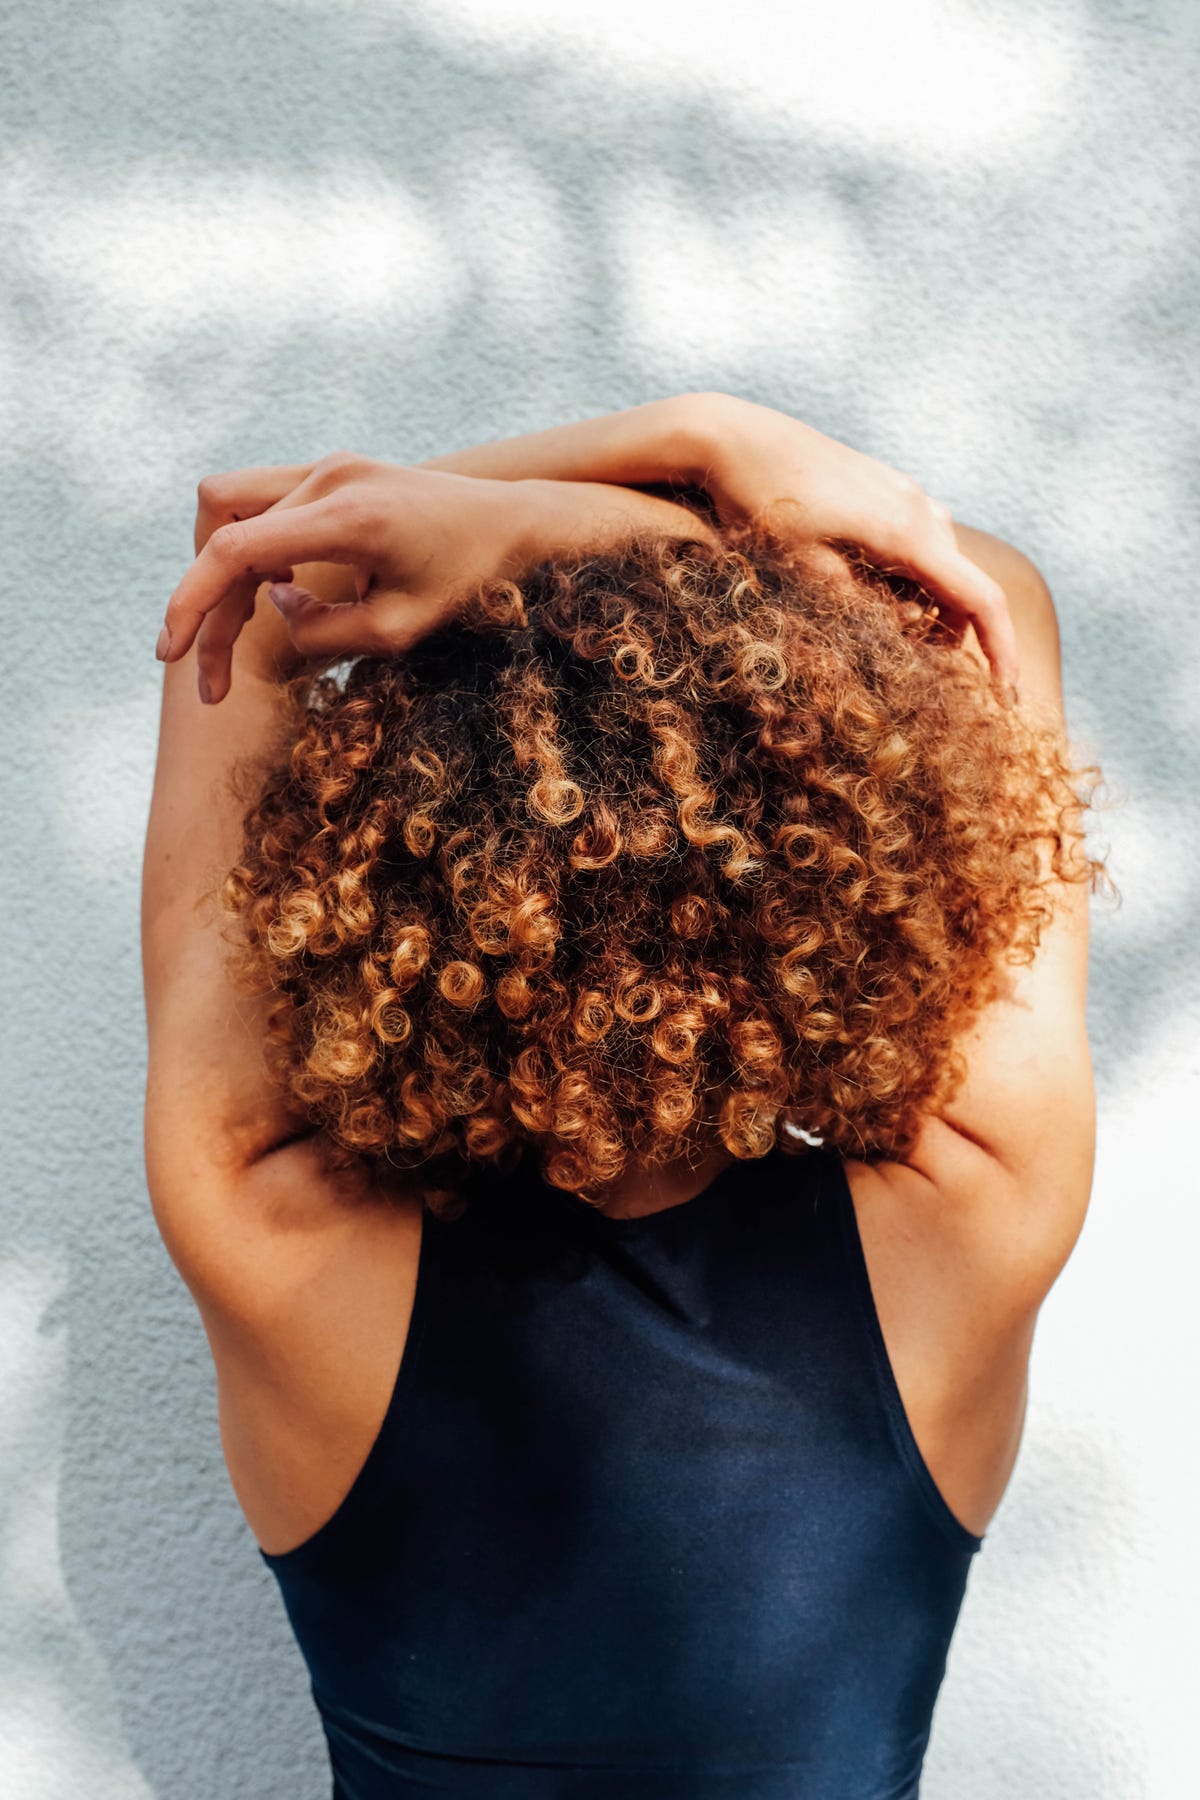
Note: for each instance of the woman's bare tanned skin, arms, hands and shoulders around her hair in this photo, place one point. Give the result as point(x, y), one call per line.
point(305, 1288)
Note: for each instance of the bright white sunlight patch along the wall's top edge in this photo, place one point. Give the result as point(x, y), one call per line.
point(929, 80)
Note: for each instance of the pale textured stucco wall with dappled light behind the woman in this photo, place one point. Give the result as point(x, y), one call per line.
point(962, 237)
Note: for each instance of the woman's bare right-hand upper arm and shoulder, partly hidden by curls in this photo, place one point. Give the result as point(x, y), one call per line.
point(971, 1232)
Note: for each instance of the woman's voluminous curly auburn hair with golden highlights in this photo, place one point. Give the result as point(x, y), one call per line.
point(683, 838)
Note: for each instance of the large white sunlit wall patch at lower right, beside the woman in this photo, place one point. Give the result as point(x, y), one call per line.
point(1134, 1383)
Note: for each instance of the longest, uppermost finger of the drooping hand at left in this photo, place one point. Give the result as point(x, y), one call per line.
point(267, 546)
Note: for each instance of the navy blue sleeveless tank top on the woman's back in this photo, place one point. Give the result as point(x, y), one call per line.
point(645, 1516)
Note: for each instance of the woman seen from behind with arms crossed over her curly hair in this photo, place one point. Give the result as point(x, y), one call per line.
point(618, 1088)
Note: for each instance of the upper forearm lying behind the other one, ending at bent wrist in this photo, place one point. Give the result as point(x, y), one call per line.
point(659, 442)
